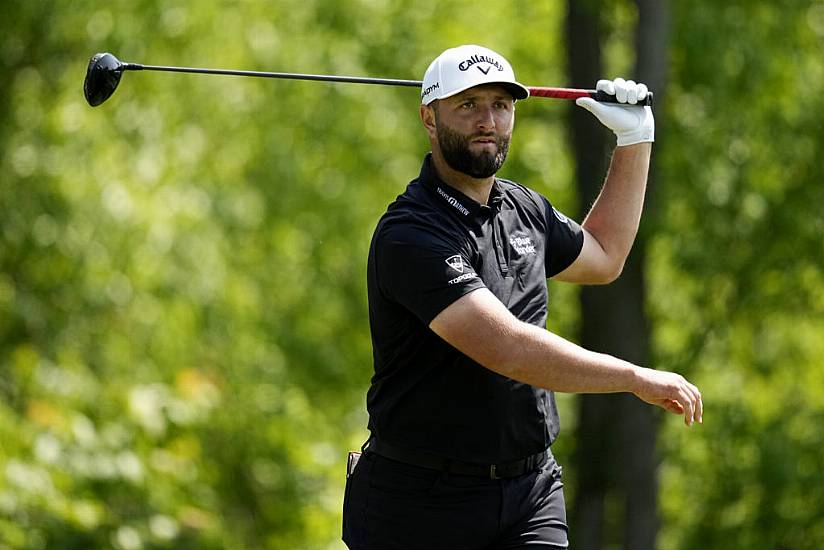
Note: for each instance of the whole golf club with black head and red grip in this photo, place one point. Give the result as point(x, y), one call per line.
point(105, 70)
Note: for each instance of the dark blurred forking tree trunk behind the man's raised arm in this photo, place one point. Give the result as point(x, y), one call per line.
point(615, 455)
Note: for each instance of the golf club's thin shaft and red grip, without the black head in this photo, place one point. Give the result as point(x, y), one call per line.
point(536, 91)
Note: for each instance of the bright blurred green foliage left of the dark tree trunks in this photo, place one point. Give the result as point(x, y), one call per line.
point(183, 327)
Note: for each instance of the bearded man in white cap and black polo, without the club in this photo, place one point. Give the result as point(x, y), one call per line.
point(461, 409)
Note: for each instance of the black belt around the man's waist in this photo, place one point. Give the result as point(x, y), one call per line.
point(425, 460)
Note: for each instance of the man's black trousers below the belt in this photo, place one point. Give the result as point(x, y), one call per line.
point(390, 505)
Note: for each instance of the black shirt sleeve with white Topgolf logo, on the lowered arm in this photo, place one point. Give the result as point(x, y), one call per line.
point(421, 270)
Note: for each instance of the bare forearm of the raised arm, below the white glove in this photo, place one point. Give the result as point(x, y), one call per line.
point(616, 213)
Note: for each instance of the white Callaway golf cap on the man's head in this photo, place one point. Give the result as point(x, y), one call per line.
point(461, 68)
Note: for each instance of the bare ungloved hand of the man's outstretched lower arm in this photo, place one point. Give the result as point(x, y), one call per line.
point(671, 392)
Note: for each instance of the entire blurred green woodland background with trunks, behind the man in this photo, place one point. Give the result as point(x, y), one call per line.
point(184, 344)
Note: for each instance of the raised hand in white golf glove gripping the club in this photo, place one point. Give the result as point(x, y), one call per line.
point(631, 123)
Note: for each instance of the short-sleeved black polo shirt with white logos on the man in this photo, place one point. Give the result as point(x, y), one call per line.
point(434, 245)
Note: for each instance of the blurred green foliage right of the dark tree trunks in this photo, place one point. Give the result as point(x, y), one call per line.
point(737, 280)
